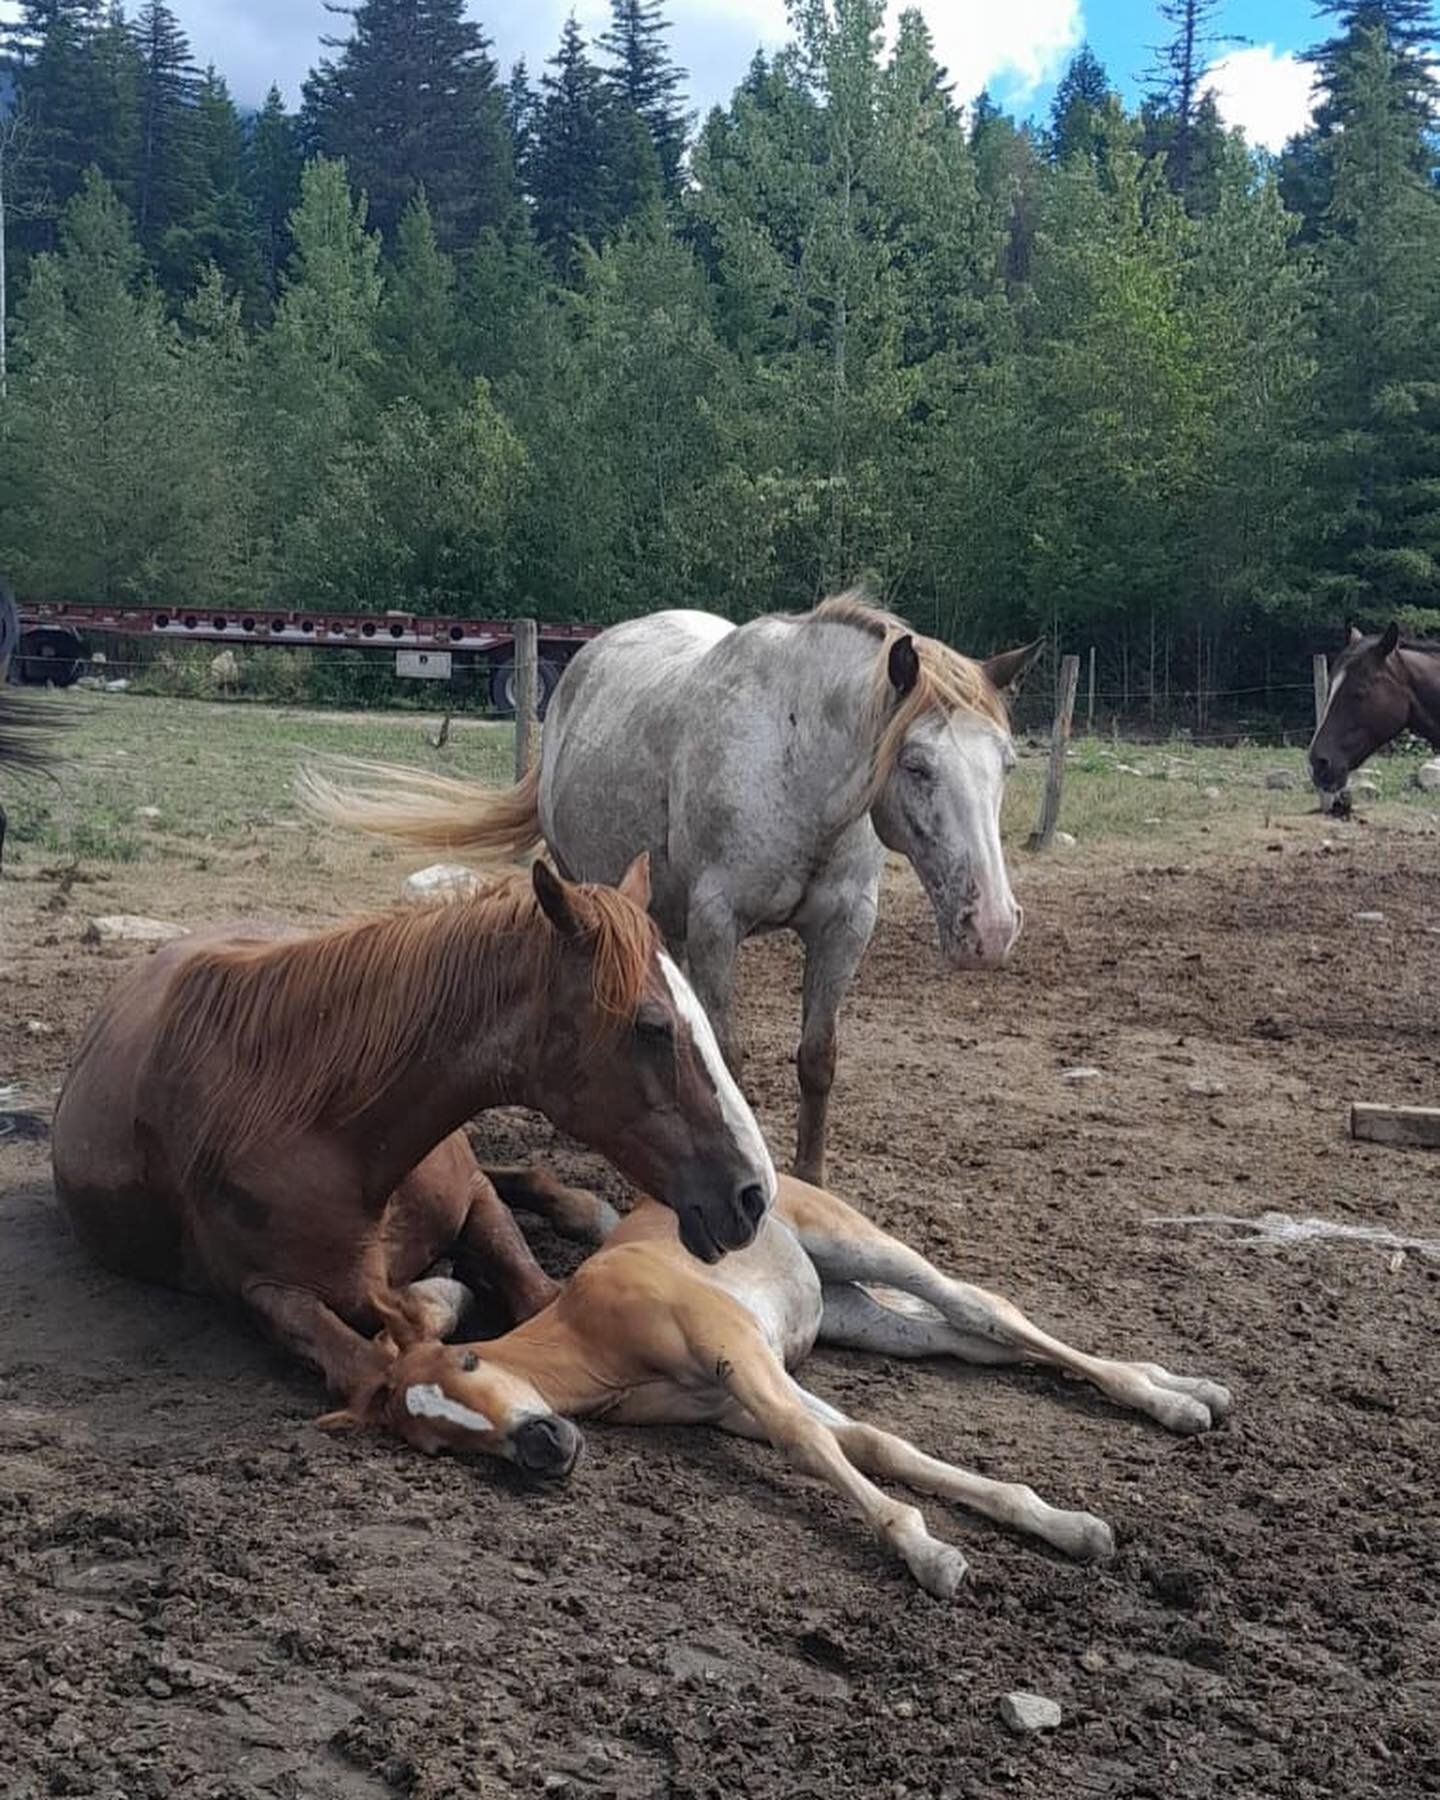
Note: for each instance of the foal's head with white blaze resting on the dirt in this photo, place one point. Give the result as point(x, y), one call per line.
point(462, 1398)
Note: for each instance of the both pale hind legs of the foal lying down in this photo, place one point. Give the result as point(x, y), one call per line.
point(847, 1248)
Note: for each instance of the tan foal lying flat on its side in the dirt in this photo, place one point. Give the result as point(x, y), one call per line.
point(645, 1335)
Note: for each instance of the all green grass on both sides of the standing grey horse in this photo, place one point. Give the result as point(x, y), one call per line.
point(224, 775)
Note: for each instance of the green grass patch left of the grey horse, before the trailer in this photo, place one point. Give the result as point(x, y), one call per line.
point(215, 773)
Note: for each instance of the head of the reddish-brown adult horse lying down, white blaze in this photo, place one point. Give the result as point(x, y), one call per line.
point(629, 1063)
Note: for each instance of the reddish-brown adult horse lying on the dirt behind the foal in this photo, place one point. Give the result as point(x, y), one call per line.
point(278, 1119)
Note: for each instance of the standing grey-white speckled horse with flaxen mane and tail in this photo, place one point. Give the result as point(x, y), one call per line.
point(766, 768)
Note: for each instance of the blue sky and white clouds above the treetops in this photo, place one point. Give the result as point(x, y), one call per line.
point(1018, 48)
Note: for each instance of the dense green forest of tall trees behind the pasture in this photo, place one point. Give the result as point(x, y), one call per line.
point(463, 339)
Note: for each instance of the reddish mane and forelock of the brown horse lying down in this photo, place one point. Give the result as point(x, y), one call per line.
point(312, 1030)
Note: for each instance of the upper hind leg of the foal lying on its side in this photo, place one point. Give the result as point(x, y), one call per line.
point(849, 1248)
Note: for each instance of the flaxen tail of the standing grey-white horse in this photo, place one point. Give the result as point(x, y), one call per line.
point(433, 813)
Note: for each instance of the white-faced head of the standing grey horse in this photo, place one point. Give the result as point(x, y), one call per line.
point(942, 787)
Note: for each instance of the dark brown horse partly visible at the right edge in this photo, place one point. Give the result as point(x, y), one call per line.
point(1380, 687)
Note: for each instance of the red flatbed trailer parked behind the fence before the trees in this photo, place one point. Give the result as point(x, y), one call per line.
point(55, 638)
